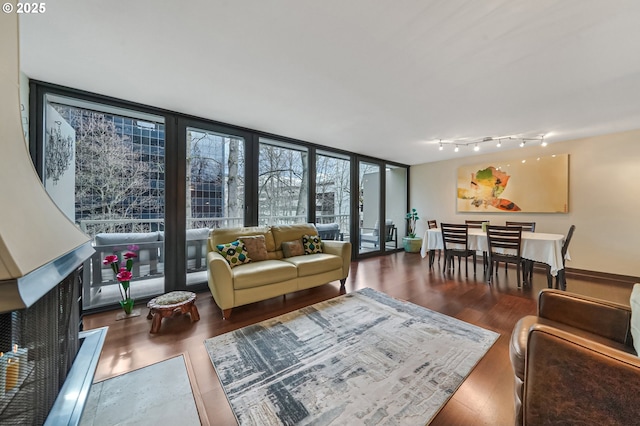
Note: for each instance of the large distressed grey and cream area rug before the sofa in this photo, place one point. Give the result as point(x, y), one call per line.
point(362, 358)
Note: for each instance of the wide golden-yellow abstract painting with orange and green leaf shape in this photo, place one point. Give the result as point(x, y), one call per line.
point(531, 185)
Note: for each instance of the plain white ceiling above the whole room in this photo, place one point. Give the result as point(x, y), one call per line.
point(385, 78)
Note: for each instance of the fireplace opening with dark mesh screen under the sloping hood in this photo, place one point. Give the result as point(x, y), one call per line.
point(39, 345)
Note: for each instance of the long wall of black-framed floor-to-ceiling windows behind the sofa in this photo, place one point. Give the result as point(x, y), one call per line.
point(160, 181)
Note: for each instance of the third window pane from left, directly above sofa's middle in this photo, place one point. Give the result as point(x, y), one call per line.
point(283, 182)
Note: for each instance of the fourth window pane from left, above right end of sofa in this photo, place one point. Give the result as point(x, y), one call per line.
point(333, 193)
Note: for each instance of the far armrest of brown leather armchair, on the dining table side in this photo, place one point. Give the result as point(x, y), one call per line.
point(607, 319)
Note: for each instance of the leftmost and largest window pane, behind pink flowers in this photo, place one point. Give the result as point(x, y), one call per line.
point(104, 168)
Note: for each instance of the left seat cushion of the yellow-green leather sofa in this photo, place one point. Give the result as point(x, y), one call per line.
point(262, 273)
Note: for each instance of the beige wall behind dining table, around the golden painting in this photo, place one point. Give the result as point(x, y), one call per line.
point(604, 199)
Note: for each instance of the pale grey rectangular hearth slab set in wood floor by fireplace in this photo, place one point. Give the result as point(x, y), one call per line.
point(158, 394)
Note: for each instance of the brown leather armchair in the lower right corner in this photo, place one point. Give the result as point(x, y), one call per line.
point(574, 363)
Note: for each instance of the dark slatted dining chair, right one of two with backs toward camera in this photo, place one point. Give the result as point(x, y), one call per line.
point(505, 245)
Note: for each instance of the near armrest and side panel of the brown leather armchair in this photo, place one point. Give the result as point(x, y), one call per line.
point(572, 380)
